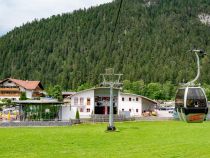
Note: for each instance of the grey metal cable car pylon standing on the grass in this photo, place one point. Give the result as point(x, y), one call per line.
point(112, 80)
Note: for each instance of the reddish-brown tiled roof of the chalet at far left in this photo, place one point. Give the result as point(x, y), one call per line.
point(30, 85)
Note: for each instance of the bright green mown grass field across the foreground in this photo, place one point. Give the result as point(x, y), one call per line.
point(168, 139)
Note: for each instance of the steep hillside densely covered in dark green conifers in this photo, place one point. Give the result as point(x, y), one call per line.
point(150, 44)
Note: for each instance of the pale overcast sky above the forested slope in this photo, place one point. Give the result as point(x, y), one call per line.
point(16, 12)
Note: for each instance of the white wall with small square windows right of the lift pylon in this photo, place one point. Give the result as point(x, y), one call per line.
point(128, 105)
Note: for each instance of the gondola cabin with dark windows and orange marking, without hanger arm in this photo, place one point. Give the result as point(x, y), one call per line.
point(191, 104)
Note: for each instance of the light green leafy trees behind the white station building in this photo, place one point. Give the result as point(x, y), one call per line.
point(153, 90)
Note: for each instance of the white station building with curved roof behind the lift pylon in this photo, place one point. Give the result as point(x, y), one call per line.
point(97, 100)
